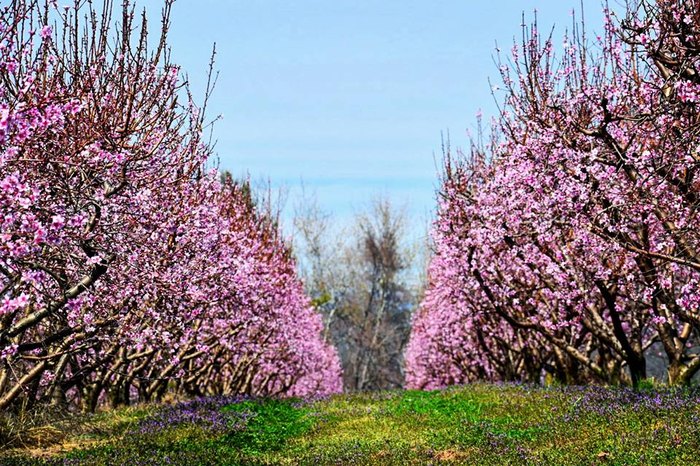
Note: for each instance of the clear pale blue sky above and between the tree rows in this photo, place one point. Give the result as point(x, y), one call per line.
point(350, 96)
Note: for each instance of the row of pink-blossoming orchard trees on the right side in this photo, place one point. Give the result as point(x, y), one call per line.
point(570, 247)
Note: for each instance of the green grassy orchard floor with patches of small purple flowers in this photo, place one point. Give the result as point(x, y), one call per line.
point(473, 425)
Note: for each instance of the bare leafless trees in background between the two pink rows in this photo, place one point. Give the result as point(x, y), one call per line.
point(360, 279)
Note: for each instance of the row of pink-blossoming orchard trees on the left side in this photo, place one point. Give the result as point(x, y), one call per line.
point(127, 269)
